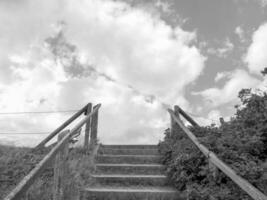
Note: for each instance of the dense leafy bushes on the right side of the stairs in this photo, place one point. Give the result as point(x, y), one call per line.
point(241, 143)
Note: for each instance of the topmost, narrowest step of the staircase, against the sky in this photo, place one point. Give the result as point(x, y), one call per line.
point(128, 151)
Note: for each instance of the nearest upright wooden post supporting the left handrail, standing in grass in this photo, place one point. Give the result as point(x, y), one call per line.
point(60, 170)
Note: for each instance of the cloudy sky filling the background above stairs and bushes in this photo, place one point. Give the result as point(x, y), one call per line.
point(135, 57)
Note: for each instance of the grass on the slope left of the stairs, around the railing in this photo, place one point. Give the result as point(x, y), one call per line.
point(16, 162)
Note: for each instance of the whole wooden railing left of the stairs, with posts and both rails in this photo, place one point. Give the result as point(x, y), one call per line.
point(60, 152)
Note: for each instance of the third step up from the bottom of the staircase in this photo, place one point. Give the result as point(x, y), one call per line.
point(148, 169)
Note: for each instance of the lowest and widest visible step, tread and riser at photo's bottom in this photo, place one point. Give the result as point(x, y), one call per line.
point(132, 193)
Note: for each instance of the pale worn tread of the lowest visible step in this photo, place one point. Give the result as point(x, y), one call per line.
point(131, 189)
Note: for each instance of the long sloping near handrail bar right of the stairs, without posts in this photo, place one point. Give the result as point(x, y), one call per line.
point(242, 183)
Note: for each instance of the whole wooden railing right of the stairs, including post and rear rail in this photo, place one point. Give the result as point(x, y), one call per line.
point(212, 158)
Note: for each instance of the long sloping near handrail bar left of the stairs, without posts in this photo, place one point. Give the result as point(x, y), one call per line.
point(28, 180)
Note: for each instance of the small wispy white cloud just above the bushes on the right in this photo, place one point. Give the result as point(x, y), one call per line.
point(237, 80)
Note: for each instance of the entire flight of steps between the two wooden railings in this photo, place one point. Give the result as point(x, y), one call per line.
point(129, 172)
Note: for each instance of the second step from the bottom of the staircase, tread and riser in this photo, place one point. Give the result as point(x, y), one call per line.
point(130, 180)
